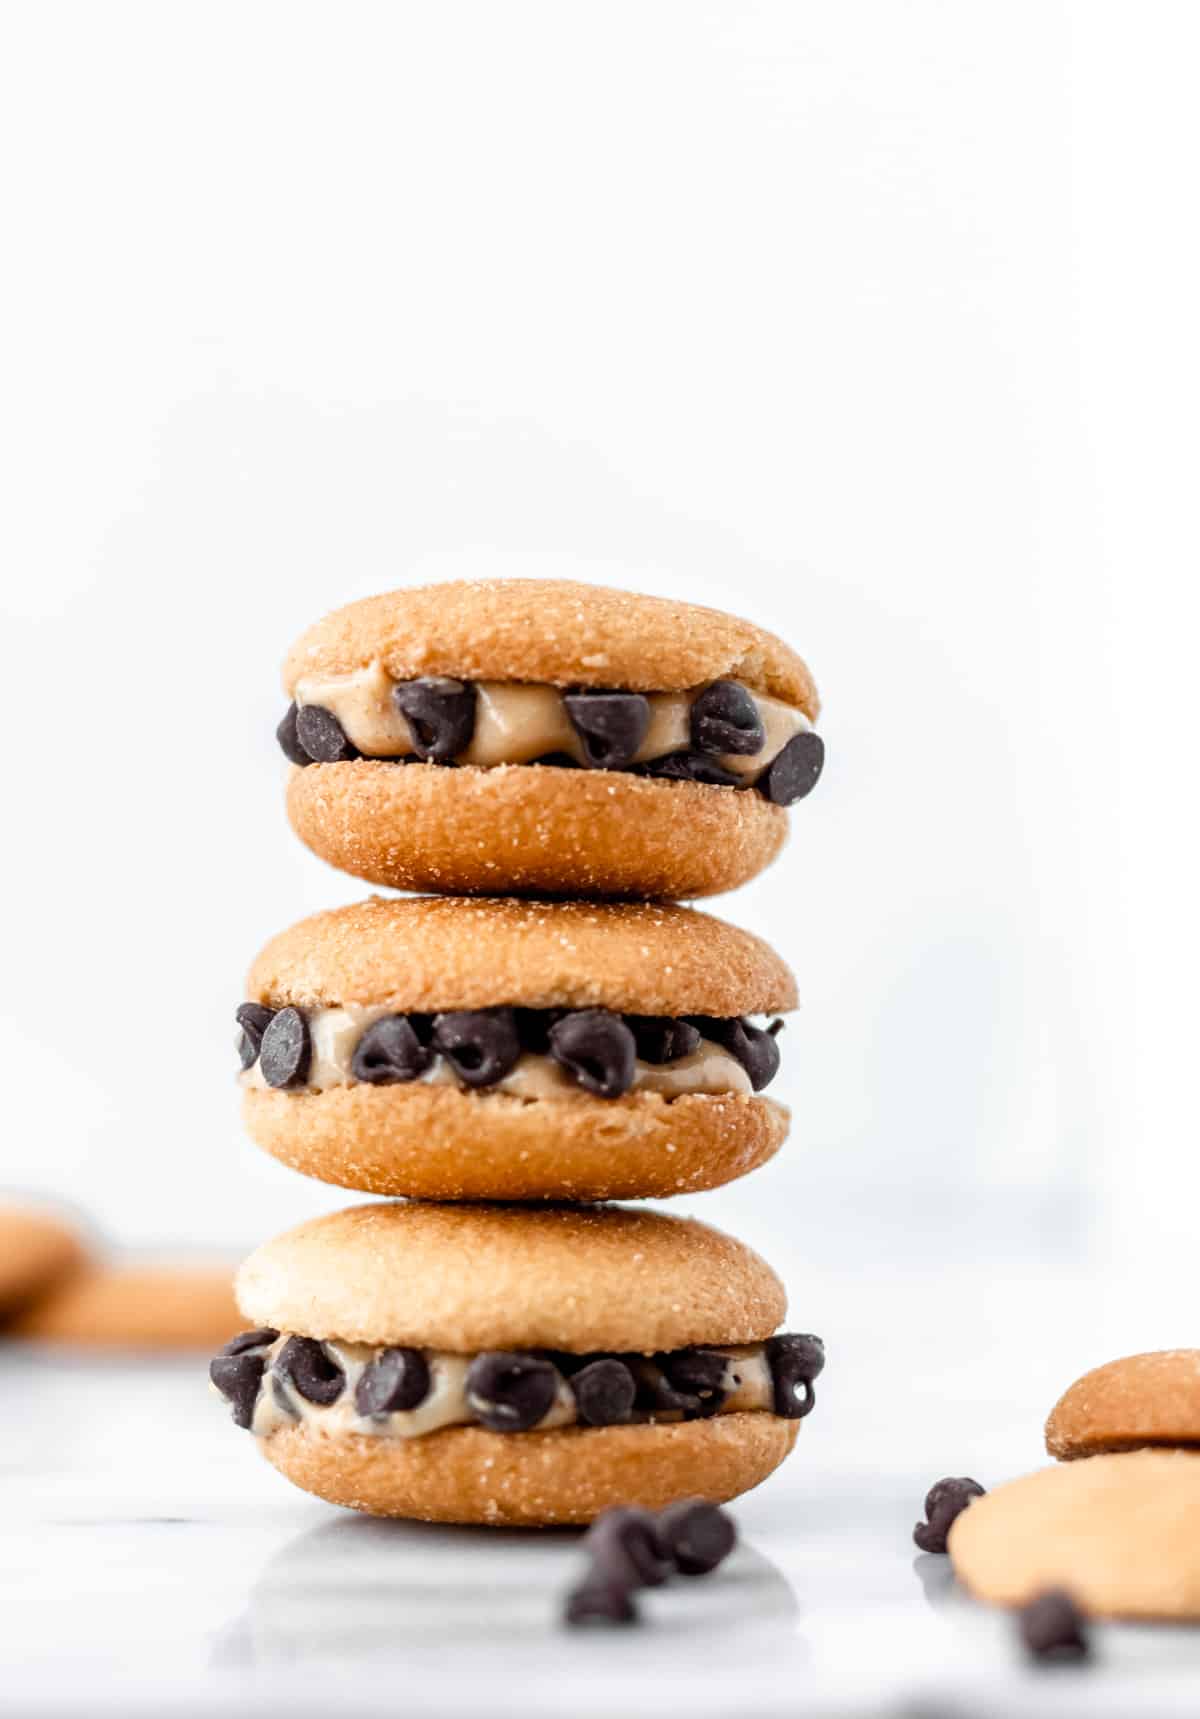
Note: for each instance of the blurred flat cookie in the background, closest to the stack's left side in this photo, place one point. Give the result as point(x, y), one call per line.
point(135, 1307)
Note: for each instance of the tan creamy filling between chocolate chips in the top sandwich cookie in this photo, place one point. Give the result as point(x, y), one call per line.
point(517, 725)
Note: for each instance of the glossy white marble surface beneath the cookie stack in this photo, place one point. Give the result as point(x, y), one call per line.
point(150, 1563)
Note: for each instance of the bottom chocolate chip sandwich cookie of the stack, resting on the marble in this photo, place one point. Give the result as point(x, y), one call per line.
point(515, 1366)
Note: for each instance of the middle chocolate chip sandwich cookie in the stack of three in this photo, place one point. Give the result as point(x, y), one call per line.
point(460, 1049)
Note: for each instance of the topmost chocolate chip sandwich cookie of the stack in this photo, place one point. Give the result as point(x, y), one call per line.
point(536, 737)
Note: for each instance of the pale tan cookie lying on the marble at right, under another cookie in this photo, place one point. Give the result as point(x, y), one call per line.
point(1120, 1532)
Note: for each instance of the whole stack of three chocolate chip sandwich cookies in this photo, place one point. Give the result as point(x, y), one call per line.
point(525, 1364)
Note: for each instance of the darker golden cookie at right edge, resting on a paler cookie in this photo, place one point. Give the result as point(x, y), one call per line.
point(1123, 1405)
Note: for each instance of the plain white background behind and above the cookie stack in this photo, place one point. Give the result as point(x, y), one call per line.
point(872, 322)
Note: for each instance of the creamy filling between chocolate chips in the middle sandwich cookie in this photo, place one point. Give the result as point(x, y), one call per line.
point(336, 1032)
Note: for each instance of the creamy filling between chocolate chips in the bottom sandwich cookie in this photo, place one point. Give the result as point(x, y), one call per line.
point(747, 1385)
